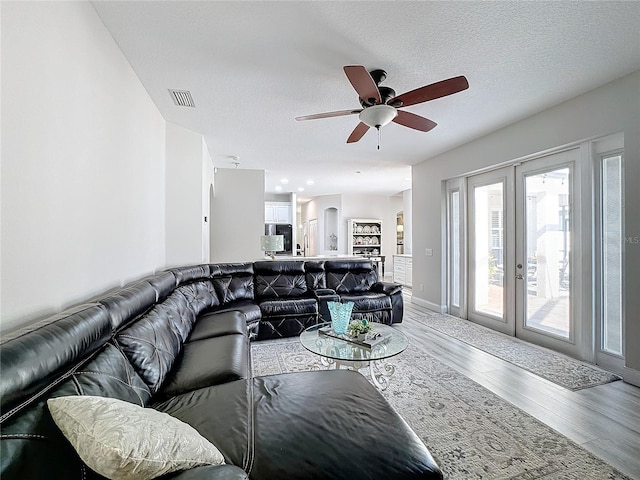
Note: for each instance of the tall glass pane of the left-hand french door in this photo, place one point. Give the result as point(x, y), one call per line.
point(488, 249)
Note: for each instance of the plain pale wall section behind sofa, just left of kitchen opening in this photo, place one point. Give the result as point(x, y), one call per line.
point(238, 215)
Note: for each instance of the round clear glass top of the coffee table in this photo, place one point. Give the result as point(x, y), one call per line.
point(339, 349)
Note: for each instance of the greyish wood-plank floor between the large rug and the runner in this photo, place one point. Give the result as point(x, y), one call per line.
point(605, 420)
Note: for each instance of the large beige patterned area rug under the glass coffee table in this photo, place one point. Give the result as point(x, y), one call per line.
point(471, 432)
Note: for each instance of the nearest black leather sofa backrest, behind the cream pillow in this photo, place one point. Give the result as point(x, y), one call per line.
point(66, 354)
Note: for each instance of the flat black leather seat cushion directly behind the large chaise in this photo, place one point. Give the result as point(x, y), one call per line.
point(209, 362)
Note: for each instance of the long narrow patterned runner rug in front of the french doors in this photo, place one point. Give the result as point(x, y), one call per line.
point(555, 367)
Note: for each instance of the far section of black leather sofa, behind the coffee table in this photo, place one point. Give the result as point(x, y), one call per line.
point(282, 298)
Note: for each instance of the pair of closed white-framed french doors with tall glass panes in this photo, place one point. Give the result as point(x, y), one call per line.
point(523, 270)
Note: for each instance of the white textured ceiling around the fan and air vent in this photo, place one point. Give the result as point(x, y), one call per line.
point(254, 66)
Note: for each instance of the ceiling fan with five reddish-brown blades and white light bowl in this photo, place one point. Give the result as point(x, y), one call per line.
point(380, 105)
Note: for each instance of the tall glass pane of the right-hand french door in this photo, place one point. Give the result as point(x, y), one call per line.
point(547, 231)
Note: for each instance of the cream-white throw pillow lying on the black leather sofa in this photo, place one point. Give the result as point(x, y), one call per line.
point(122, 441)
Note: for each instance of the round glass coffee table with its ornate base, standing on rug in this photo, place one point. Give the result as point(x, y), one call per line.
point(339, 352)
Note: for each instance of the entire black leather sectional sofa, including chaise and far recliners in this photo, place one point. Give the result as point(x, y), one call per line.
point(179, 342)
